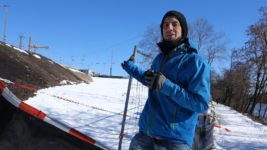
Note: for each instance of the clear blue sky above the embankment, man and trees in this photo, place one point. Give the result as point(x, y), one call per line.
point(83, 33)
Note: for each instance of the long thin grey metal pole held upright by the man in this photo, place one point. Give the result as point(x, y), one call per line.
point(126, 102)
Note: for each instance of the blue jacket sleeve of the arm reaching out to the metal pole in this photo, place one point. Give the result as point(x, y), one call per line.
point(134, 71)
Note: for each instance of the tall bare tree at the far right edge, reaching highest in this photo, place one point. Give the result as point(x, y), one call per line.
point(254, 55)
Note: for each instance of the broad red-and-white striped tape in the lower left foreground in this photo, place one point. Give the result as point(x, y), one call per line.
point(10, 97)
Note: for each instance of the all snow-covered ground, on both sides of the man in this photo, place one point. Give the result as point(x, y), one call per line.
point(95, 109)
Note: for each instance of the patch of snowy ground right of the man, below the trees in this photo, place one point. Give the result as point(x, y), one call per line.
point(245, 134)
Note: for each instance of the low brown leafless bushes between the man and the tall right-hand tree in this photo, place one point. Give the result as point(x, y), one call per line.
point(233, 87)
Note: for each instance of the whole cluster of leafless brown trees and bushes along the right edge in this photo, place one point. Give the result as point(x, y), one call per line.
point(245, 84)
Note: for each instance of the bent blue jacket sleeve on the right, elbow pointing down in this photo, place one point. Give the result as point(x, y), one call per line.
point(196, 95)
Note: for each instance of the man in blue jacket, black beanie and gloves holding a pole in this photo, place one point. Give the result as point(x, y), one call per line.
point(179, 89)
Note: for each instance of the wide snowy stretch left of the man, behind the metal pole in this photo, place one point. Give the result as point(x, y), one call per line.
point(93, 108)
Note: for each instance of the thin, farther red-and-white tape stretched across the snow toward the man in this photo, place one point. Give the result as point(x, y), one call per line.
point(65, 99)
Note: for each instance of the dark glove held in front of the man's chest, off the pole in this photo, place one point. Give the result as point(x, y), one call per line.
point(154, 80)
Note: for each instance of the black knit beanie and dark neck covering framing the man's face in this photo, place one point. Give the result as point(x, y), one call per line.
point(166, 46)
